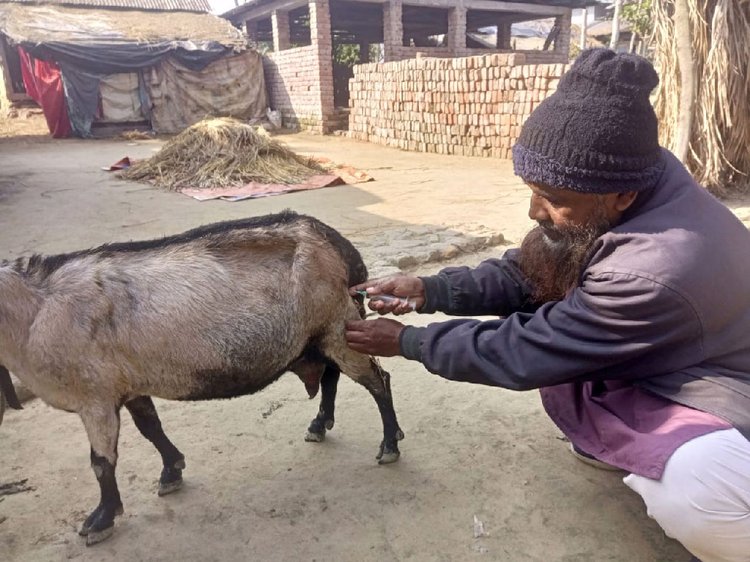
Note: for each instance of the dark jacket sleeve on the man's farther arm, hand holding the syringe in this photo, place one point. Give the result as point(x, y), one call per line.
point(495, 287)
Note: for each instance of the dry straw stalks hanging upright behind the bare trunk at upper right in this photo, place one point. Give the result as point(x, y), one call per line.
point(719, 156)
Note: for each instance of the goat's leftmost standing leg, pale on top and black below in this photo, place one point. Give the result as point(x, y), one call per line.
point(102, 423)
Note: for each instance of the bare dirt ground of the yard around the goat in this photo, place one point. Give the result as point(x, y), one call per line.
point(254, 490)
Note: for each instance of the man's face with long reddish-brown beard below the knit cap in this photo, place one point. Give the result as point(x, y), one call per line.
point(554, 253)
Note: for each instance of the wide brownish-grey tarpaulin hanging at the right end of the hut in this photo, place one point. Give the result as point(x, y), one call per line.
point(230, 87)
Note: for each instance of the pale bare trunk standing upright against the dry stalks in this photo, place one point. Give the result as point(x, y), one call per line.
point(686, 64)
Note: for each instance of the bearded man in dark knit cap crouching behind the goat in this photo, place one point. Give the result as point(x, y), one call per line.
point(628, 306)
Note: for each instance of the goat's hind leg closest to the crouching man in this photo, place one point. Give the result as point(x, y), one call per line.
point(367, 371)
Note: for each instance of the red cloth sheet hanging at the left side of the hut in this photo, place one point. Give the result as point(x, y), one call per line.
point(43, 83)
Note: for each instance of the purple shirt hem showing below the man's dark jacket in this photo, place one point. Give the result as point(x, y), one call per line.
point(624, 425)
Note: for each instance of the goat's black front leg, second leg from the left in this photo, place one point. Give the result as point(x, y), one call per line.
point(147, 421)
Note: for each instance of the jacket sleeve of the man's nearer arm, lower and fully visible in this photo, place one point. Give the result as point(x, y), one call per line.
point(615, 326)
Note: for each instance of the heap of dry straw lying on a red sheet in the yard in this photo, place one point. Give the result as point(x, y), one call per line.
point(222, 152)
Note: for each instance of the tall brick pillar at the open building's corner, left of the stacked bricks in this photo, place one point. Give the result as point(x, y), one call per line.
point(322, 41)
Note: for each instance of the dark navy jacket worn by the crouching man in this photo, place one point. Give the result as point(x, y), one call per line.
point(664, 302)
